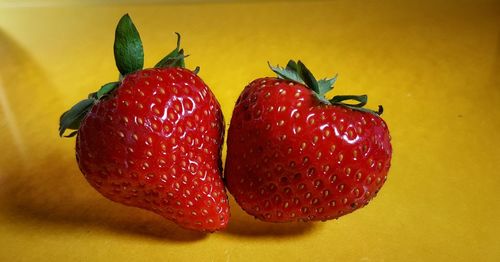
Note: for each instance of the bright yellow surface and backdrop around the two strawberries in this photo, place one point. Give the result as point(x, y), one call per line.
point(434, 65)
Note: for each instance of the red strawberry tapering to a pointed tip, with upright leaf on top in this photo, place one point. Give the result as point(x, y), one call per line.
point(153, 140)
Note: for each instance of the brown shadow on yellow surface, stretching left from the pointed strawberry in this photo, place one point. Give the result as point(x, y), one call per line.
point(55, 195)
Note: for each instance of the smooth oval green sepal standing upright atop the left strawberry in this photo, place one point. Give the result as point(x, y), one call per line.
point(129, 53)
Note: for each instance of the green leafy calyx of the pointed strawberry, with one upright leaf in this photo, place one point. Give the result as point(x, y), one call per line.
point(129, 58)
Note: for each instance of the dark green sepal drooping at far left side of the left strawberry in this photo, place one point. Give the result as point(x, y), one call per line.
point(71, 119)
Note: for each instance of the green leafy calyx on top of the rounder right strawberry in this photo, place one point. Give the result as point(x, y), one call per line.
point(298, 72)
